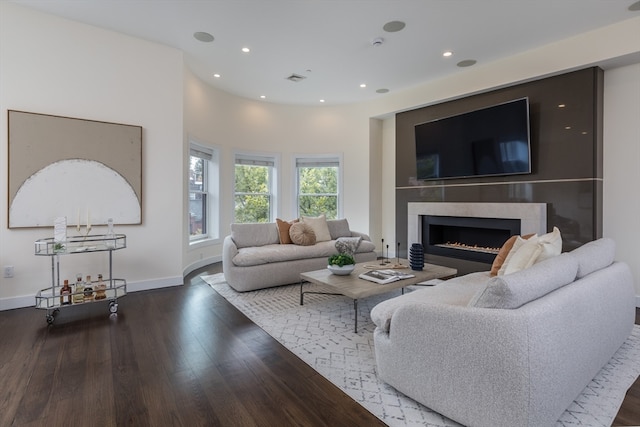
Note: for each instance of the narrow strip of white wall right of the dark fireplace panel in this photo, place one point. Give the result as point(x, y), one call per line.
point(621, 164)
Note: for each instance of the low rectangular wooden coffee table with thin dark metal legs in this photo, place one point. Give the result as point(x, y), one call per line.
point(353, 287)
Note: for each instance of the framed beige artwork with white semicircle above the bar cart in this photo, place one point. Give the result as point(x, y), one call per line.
point(85, 170)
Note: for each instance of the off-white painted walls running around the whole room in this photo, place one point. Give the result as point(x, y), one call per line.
point(51, 65)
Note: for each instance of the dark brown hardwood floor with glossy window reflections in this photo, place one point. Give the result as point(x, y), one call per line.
point(180, 356)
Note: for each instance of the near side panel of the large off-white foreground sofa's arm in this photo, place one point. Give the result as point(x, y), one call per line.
point(470, 364)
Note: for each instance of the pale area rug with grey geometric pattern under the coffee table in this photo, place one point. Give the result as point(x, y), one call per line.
point(321, 333)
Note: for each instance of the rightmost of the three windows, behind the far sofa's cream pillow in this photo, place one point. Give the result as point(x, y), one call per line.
point(318, 183)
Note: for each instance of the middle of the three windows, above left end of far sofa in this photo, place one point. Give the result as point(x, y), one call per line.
point(254, 188)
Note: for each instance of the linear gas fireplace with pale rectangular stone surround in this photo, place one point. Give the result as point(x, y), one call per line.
point(471, 231)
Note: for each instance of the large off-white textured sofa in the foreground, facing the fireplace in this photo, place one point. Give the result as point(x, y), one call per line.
point(512, 350)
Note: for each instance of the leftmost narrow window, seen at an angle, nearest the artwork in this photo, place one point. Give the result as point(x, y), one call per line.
point(203, 179)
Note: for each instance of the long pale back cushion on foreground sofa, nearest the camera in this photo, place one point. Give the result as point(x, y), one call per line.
point(514, 290)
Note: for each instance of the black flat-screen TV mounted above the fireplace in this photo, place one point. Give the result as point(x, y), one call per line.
point(484, 142)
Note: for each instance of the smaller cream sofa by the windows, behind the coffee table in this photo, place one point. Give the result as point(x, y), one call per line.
point(253, 257)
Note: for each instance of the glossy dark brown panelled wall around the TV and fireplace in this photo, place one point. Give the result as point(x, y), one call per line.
point(566, 156)
